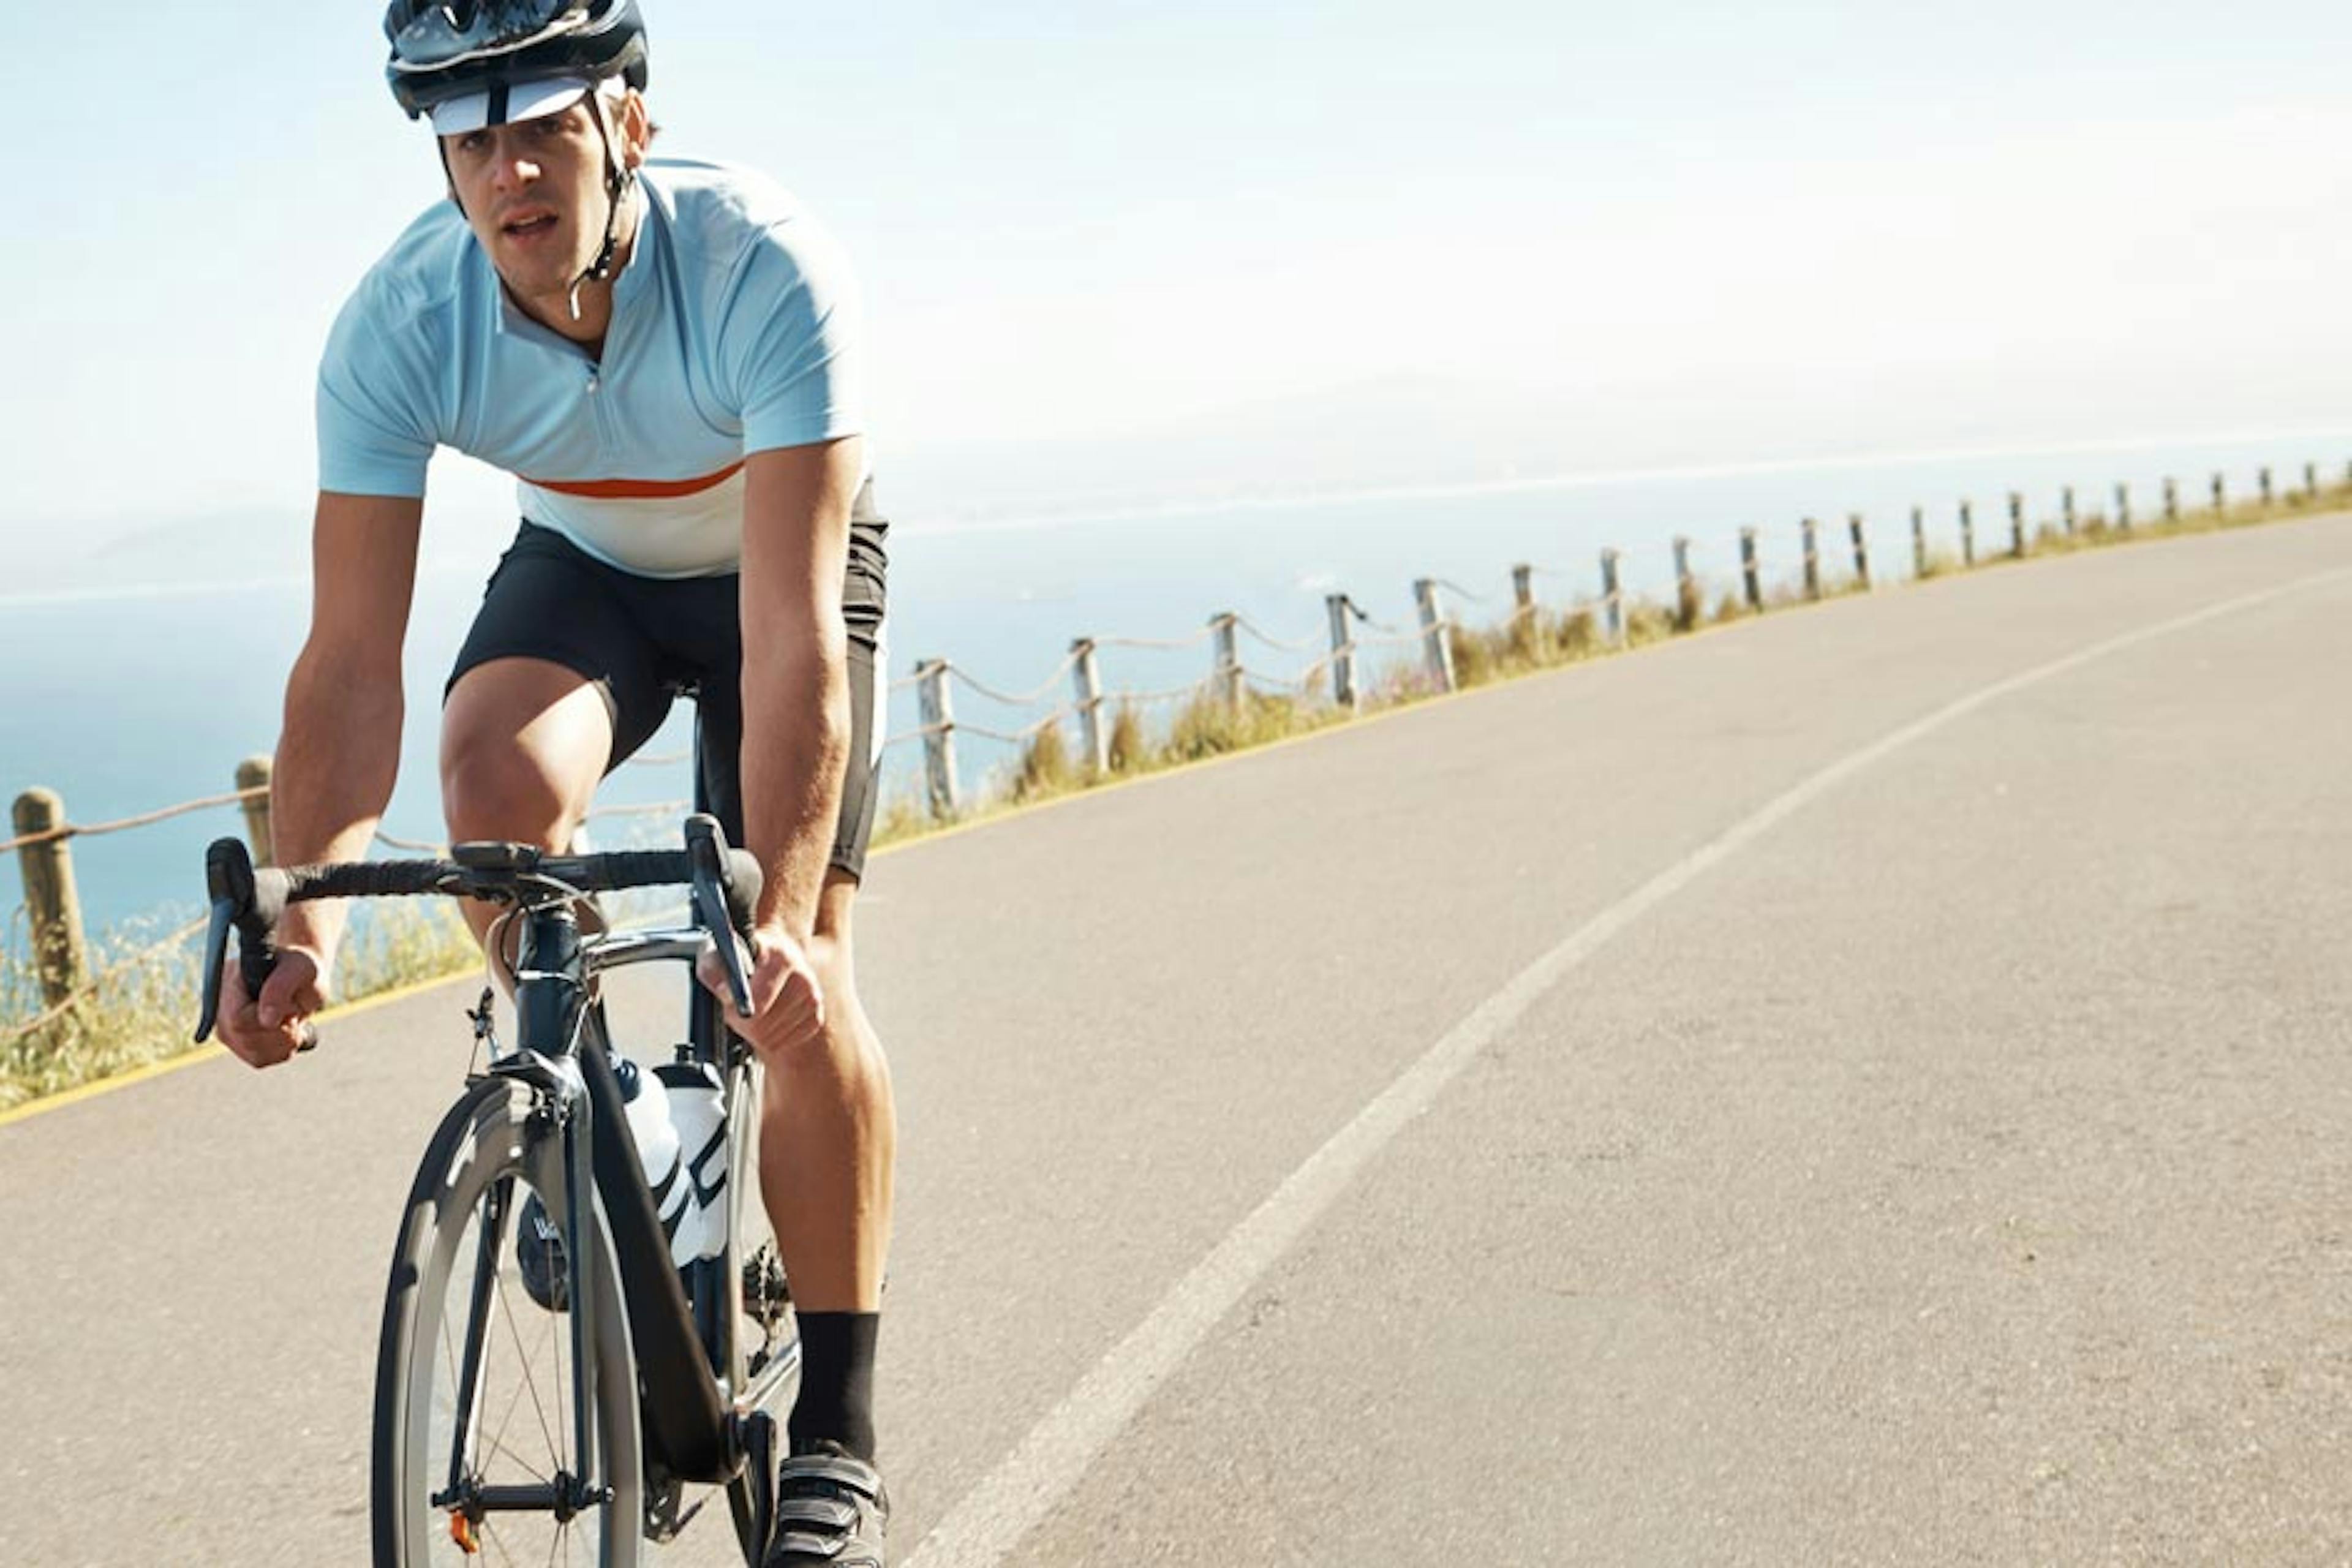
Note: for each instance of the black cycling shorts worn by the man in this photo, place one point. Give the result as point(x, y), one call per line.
point(643, 641)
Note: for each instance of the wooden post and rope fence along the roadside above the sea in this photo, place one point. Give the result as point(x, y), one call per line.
point(1815, 558)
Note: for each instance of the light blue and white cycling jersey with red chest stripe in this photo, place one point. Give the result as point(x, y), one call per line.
point(733, 333)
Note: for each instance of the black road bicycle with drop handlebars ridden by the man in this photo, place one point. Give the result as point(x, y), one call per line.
point(552, 1383)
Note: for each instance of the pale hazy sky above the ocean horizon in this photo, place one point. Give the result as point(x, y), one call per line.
point(1104, 217)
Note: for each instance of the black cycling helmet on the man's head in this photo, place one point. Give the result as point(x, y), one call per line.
point(486, 46)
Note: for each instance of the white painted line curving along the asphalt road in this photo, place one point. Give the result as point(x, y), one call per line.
point(991, 1520)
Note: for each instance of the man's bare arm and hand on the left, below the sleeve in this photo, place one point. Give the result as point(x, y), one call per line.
point(340, 749)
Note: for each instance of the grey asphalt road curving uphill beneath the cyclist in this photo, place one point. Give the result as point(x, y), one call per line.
point(1859, 1087)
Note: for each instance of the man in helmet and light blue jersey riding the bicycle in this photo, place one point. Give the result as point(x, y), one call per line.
point(667, 359)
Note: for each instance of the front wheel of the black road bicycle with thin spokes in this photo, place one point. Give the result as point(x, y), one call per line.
point(476, 1172)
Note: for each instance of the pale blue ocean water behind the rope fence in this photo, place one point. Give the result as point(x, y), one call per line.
point(149, 695)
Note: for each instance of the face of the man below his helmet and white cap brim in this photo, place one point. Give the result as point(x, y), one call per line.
point(535, 196)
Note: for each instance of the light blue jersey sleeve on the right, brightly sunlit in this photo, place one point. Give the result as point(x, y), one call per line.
point(791, 340)
